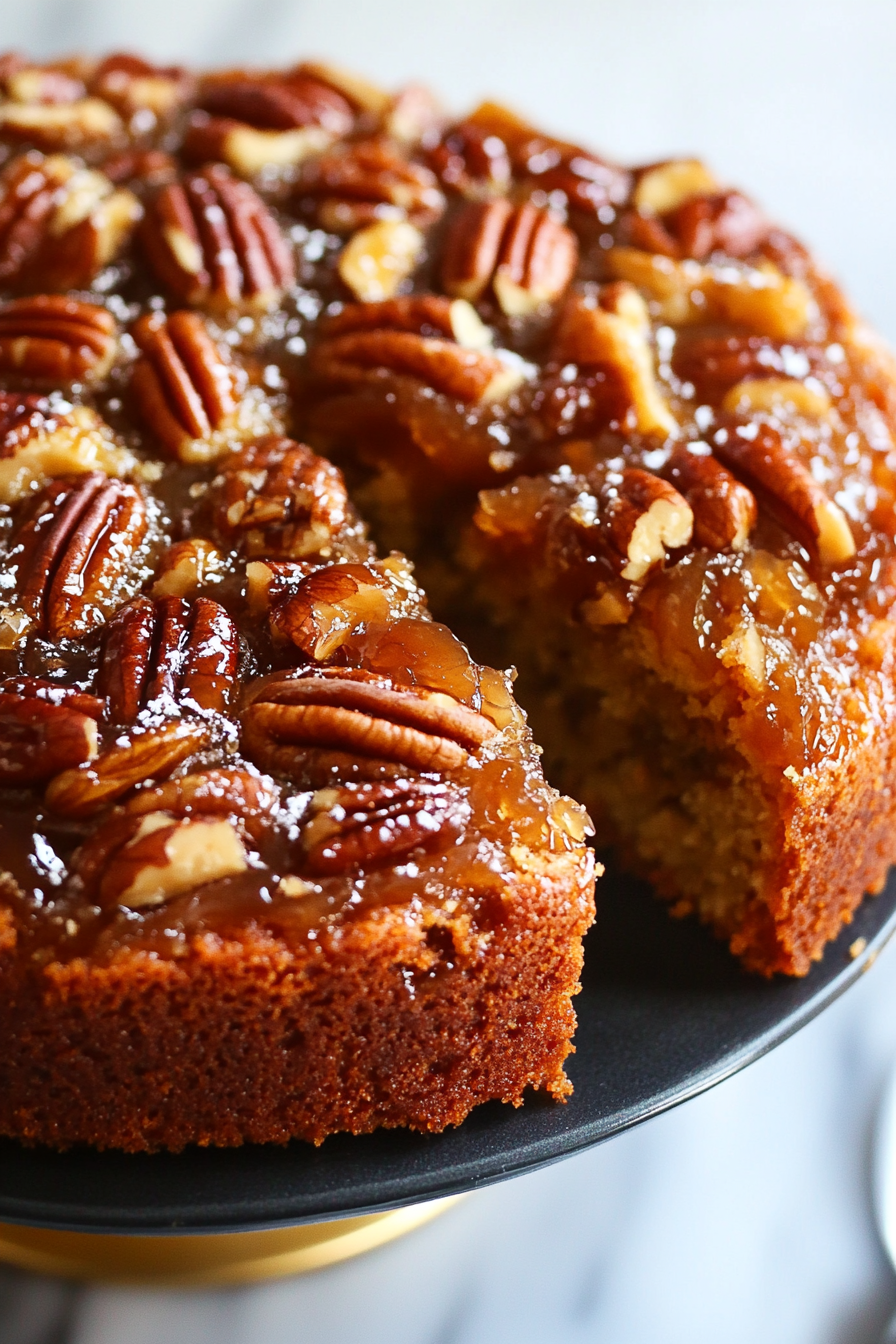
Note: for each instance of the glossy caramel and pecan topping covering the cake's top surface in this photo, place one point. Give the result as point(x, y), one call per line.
point(674, 420)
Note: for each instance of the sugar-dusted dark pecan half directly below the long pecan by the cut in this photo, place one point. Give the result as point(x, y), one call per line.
point(367, 826)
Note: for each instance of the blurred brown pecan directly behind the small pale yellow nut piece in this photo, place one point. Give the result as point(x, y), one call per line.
point(359, 183)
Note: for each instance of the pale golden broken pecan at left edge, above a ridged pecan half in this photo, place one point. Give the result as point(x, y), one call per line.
point(40, 443)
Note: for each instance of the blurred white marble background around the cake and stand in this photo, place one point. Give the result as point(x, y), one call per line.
point(746, 1214)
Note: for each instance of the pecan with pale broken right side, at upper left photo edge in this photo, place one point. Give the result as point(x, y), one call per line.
point(60, 224)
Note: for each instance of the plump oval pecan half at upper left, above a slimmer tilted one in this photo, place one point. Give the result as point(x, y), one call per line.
point(214, 243)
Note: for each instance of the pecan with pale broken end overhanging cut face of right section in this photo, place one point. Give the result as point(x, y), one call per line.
point(635, 518)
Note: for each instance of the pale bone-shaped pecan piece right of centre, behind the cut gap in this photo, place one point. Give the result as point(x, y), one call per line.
point(612, 330)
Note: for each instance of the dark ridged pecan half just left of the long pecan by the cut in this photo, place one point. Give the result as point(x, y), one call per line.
point(169, 654)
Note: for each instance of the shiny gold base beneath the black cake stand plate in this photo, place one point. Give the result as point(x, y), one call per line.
point(209, 1261)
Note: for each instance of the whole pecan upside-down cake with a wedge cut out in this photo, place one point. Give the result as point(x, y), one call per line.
point(281, 857)
